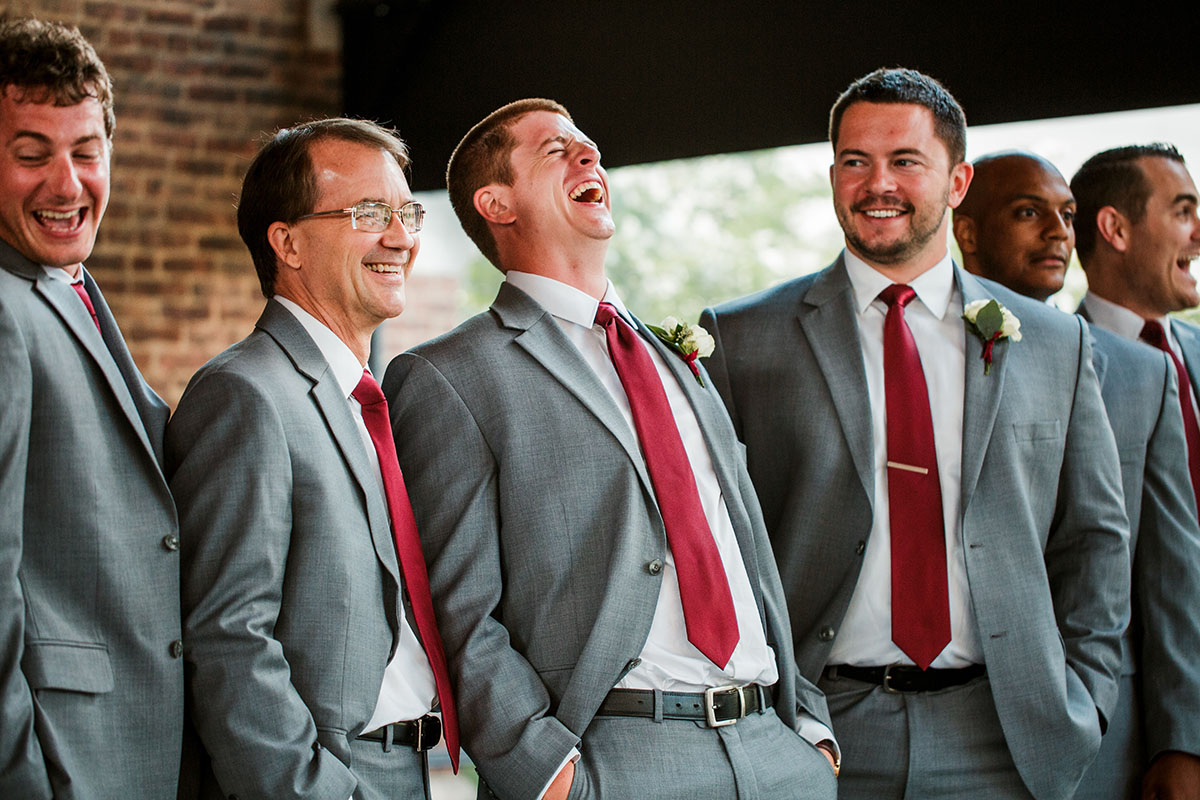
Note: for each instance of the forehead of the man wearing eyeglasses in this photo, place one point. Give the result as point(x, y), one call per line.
point(349, 172)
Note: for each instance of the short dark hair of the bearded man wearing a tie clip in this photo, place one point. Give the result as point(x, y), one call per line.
point(902, 86)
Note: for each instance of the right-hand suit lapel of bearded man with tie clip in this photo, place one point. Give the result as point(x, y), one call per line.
point(982, 393)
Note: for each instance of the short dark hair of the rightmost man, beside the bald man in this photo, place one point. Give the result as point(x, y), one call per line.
point(1114, 178)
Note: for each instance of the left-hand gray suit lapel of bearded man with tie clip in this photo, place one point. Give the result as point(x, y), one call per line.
point(830, 322)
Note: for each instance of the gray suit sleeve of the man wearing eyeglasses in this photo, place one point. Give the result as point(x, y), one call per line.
point(232, 478)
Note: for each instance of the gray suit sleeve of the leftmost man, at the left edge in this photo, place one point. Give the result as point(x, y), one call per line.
point(22, 767)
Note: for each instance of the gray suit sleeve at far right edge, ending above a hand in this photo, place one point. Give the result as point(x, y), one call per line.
point(1167, 587)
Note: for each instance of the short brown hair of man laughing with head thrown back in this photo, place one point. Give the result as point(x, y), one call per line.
point(483, 158)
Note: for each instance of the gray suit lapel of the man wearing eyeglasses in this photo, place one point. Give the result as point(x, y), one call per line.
point(308, 359)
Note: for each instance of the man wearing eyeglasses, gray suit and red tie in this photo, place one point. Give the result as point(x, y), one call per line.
point(315, 665)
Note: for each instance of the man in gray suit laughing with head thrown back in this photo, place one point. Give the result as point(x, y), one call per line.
point(565, 566)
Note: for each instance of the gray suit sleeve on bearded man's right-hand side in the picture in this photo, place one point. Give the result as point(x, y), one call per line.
point(1088, 550)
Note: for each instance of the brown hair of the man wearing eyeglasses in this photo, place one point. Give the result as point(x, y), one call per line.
point(280, 185)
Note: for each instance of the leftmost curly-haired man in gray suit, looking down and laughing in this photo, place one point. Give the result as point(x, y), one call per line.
point(92, 682)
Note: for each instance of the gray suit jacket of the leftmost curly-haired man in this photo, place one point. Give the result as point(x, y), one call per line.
point(92, 688)
